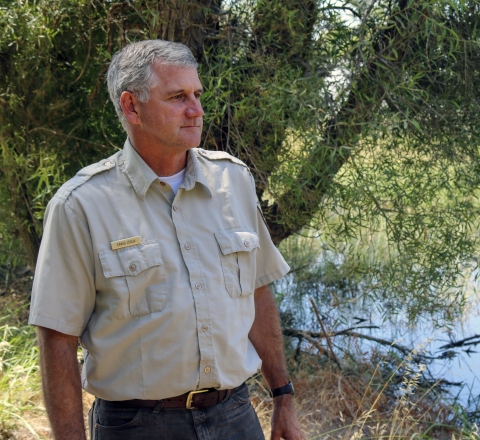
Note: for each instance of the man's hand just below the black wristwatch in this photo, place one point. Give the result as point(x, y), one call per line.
point(284, 419)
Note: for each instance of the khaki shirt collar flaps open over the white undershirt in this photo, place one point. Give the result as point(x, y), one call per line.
point(142, 176)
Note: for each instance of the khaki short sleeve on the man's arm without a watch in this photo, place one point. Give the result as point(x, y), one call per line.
point(63, 294)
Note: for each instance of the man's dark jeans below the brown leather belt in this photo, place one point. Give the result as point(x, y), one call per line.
point(234, 419)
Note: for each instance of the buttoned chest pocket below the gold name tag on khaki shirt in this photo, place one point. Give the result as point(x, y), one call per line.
point(136, 279)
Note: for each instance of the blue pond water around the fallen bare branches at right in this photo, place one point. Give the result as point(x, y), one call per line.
point(457, 365)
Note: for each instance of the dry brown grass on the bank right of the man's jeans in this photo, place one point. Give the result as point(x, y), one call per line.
point(368, 400)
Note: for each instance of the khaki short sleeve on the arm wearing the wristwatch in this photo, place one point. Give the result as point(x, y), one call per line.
point(270, 264)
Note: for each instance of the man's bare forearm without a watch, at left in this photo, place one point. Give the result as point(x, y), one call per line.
point(62, 390)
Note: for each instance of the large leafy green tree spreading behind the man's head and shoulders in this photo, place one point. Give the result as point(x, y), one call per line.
point(306, 92)
